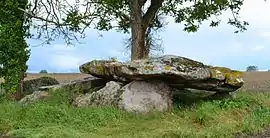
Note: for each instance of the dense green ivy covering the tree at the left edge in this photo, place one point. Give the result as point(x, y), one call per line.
point(13, 47)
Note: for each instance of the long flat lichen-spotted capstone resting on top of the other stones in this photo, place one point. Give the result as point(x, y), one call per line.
point(178, 72)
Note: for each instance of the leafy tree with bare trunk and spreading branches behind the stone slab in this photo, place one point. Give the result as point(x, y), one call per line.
point(63, 18)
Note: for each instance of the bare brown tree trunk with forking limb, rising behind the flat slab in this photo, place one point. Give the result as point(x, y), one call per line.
point(139, 23)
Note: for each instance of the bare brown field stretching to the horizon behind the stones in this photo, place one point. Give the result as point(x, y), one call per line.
point(254, 81)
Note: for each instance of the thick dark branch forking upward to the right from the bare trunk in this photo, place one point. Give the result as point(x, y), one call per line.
point(152, 11)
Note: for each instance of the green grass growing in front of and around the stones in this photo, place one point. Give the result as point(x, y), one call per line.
point(55, 118)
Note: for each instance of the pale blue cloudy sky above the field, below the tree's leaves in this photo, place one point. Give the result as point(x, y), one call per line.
point(218, 46)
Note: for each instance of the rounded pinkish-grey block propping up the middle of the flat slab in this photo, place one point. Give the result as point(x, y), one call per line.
point(142, 96)
